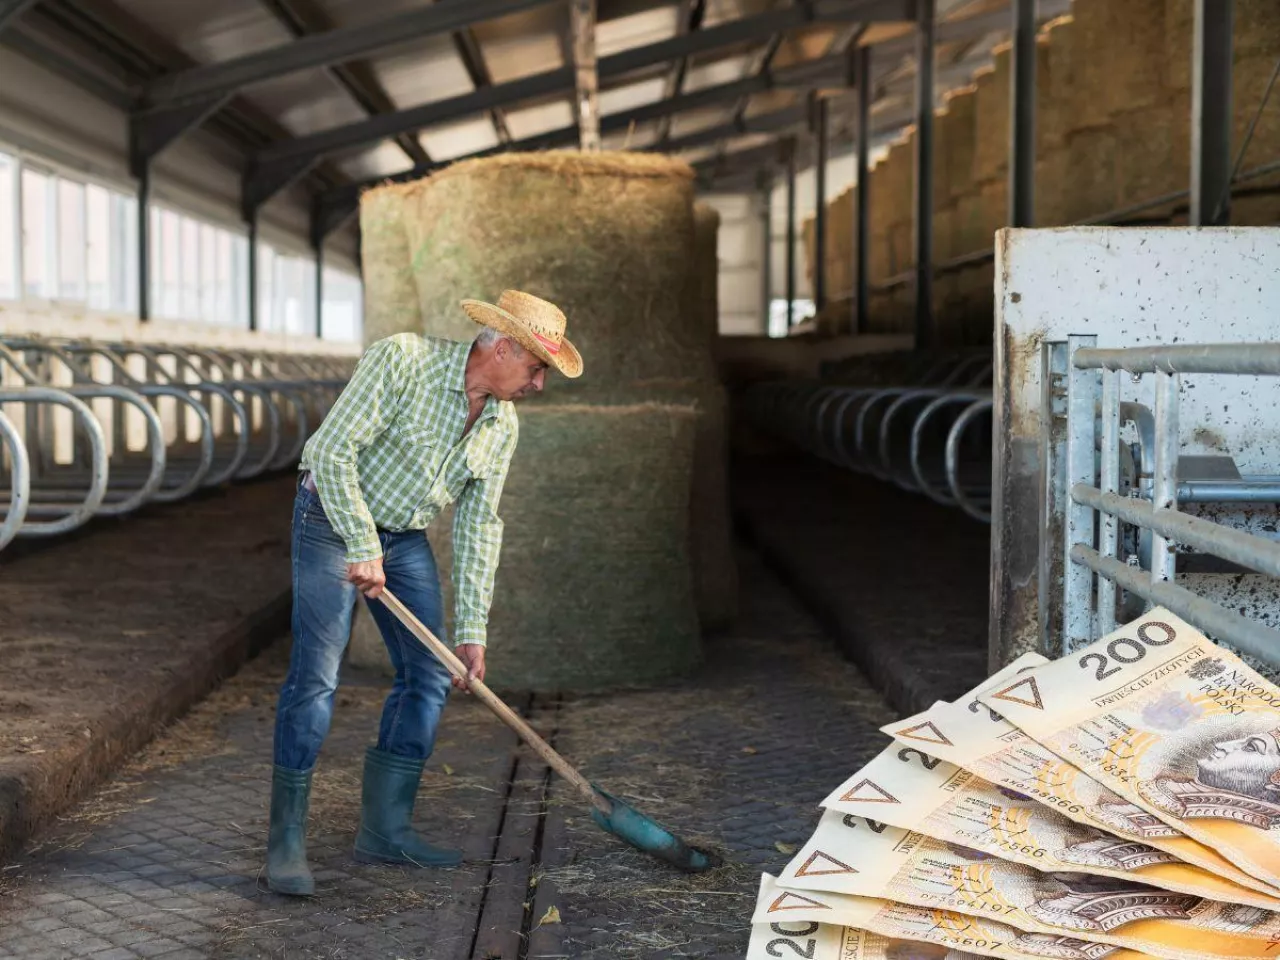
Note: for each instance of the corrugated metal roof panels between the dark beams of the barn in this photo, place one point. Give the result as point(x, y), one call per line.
point(527, 44)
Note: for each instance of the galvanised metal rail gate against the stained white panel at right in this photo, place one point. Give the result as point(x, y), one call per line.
point(1085, 508)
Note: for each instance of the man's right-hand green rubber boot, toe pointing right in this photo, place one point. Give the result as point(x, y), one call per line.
point(387, 815)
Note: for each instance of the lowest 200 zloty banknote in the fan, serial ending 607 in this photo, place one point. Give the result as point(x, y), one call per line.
point(836, 927)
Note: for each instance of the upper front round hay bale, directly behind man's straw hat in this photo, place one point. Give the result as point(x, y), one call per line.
point(607, 237)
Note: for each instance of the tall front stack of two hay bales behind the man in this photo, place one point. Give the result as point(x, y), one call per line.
point(596, 587)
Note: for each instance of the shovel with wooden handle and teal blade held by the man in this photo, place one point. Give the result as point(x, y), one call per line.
point(614, 816)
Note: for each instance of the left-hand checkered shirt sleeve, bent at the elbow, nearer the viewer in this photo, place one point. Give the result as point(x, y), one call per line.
point(364, 412)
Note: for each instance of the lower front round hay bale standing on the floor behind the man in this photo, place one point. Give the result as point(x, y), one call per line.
point(595, 588)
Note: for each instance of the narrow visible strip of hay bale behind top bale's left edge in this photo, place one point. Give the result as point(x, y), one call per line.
point(391, 294)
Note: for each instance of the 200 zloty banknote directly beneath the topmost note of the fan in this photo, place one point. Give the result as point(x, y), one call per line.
point(980, 739)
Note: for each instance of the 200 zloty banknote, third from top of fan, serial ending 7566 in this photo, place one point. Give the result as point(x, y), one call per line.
point(906, 788)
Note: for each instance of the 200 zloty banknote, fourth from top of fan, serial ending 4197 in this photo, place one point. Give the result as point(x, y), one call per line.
point(863, 858)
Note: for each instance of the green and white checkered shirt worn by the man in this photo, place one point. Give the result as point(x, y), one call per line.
point(391, 456)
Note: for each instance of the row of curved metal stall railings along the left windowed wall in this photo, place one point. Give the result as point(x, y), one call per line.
point(149, 424)
